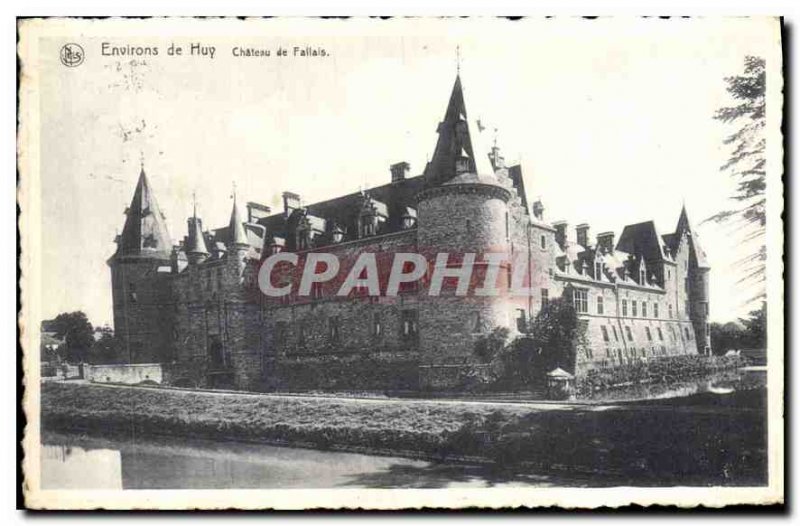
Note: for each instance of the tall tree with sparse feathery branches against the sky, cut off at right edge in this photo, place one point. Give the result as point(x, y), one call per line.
point(747, 166)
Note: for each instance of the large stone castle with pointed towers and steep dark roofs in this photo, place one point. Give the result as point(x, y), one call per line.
point(195, 305)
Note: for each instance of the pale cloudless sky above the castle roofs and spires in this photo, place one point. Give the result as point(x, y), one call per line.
point(610, 119)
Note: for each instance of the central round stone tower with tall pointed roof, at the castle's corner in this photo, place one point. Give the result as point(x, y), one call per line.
point(463, 209)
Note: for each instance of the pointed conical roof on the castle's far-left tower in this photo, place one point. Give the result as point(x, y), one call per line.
point(145, 232)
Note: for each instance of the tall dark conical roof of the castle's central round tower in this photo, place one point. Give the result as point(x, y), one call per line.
point(457, 134)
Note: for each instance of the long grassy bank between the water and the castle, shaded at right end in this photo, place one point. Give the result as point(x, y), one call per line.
point(715, 441)
